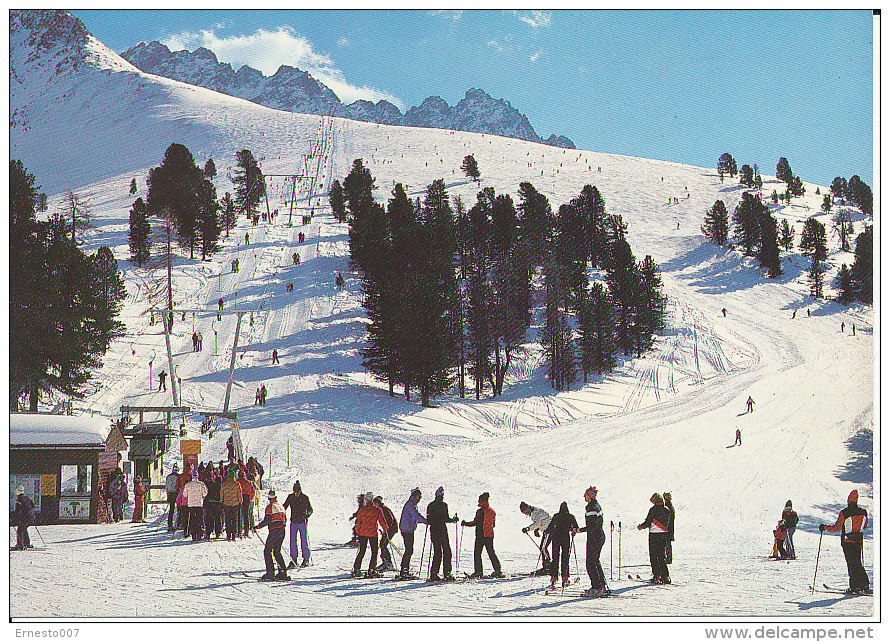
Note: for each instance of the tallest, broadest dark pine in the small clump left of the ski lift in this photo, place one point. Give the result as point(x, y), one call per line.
point(174, 187)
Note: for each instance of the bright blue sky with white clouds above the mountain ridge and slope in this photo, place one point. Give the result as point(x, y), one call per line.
point(682, 86)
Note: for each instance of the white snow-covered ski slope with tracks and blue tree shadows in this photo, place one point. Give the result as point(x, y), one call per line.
point(663, 422)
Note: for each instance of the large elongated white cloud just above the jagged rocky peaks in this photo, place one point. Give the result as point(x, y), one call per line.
point(268, 50)
